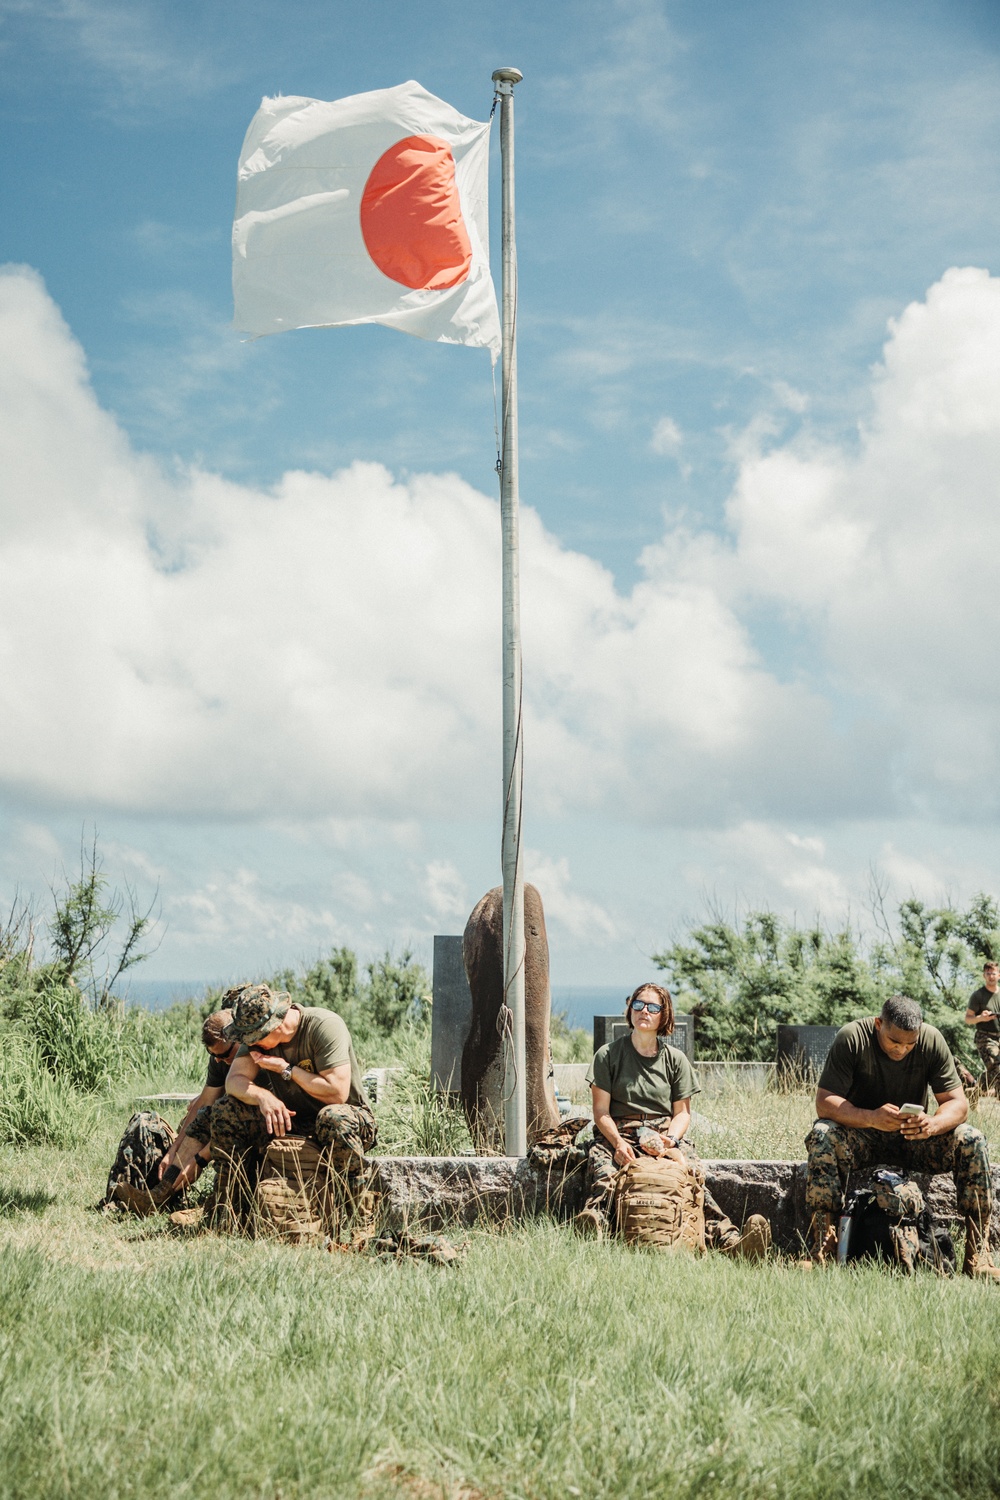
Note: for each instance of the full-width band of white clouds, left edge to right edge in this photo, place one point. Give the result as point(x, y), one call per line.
point(178, 644)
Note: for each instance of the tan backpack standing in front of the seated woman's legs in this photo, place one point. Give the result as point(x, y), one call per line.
point(662, 1204)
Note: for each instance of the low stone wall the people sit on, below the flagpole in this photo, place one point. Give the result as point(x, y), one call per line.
point(437, 1192)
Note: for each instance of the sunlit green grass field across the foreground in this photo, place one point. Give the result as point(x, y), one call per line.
point(134, 1364)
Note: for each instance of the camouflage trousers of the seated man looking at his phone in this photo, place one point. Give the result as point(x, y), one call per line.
point(836, 1151)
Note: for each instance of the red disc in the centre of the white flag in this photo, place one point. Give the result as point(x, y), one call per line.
point(412, 217)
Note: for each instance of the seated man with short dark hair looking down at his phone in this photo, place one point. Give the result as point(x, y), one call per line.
point(872, 1111)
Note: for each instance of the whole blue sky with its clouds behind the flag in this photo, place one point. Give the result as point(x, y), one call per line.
point(759, 364)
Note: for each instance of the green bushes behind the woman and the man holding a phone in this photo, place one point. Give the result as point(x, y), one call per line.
point(743, 982)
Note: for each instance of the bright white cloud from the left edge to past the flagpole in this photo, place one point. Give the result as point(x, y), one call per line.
point(331, 649)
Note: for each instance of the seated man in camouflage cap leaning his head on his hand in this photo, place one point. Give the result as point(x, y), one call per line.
point(295, 1073)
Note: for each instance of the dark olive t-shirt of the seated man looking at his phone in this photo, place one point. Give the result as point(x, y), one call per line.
point(867, 1078)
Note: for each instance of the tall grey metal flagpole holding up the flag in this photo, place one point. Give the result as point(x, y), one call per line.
point(515, 1084)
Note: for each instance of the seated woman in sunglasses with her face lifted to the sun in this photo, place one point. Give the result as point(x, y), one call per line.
point(642, 1093)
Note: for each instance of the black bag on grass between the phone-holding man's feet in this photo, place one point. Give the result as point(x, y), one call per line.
point(878, 1231)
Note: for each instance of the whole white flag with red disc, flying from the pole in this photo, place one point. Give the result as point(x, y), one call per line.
point(371, 209)
